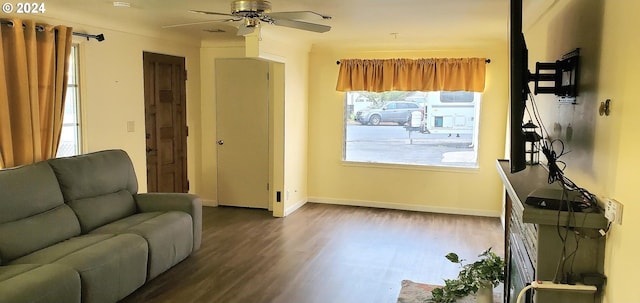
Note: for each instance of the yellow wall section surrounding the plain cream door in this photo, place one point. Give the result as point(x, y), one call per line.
point(288, 113)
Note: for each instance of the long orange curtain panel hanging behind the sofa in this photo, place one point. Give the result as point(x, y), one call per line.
point(34, 61)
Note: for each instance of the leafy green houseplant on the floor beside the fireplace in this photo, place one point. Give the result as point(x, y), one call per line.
point(486, 272)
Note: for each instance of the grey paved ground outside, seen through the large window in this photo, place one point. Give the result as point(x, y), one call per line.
point(394, 144)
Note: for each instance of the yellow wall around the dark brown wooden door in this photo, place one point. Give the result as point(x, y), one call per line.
point(112, 90)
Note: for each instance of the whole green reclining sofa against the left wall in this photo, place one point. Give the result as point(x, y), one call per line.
point(76, 230)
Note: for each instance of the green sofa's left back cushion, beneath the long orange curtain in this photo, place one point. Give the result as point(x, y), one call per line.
point(32, 211)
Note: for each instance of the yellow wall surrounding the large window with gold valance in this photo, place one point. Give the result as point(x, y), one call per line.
point(464, 191)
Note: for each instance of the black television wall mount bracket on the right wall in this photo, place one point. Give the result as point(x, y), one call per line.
point(560, 77)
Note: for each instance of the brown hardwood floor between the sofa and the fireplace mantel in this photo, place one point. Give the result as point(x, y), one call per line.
point(321, 253)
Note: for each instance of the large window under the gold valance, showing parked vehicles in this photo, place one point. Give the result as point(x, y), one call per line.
point(412, 128)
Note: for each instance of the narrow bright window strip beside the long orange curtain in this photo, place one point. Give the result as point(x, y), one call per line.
point(70, 137)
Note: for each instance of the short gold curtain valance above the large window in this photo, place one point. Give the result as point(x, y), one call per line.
point(435, 74)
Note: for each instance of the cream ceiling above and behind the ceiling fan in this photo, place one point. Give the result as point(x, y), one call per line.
point(357, 23)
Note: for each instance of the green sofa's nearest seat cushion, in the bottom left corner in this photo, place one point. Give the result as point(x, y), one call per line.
point(39, 284)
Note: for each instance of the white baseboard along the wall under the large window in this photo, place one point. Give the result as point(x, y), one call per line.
point(411, 207)
